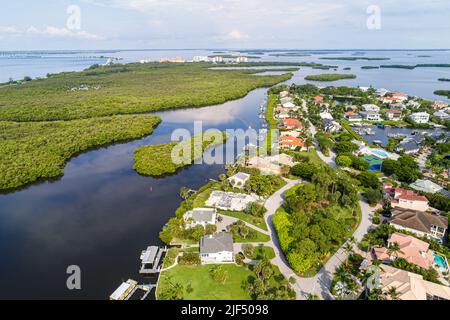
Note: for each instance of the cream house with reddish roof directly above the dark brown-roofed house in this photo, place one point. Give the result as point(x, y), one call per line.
point(406, 199)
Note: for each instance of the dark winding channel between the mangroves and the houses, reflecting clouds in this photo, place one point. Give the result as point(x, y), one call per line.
point(101, 213)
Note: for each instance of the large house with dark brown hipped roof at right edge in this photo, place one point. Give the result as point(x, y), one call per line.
point(423, 224)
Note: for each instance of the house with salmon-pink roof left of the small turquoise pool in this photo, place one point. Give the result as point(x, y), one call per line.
point(412, 250)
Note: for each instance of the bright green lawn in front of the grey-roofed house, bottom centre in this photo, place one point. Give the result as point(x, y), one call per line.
point(205, 288)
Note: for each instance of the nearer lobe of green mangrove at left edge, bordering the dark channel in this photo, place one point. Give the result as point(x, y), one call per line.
point(39, 150)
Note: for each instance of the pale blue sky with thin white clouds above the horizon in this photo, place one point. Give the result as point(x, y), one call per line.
point(283, 24)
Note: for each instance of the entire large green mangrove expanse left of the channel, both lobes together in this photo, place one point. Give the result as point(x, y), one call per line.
point(43, 123)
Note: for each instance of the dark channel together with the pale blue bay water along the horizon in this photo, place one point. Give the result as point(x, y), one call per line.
point(101, 214)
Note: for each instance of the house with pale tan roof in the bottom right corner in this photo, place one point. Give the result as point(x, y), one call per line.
point(411, 286)
